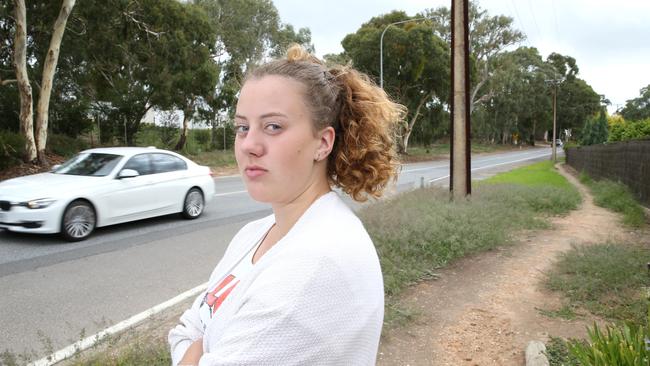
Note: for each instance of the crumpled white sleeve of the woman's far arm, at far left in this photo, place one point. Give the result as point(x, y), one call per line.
point(187, 331)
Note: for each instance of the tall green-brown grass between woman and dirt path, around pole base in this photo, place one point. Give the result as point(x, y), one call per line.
point(422, 230)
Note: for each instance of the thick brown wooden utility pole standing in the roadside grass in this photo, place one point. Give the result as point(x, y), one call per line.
point(460, 175)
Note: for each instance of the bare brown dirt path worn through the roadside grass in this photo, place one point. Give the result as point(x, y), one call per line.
point(484, 310)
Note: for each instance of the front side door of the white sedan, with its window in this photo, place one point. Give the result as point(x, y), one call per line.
point(133, 197)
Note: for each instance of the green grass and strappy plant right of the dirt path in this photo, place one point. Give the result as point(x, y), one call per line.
point(611, 281)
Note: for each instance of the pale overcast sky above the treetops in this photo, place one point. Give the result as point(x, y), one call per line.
point(610, 40)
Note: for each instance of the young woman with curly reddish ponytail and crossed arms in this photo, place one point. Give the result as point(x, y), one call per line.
point(302, 286)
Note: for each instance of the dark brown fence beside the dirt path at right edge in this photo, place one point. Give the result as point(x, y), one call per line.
point(627, 162)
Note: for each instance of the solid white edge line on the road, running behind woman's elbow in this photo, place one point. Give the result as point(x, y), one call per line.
point(88, 342)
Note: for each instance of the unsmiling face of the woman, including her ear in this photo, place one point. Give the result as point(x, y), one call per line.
point(275, 145)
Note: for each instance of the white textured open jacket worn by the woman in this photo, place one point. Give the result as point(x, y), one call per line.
point(315, 298)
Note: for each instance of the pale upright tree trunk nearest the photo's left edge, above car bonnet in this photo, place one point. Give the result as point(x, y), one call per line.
point(24, 88)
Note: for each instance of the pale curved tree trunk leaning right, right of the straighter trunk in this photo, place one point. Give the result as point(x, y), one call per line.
point(49, 68)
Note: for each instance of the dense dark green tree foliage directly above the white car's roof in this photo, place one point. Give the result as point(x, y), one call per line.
point(141, 54)
